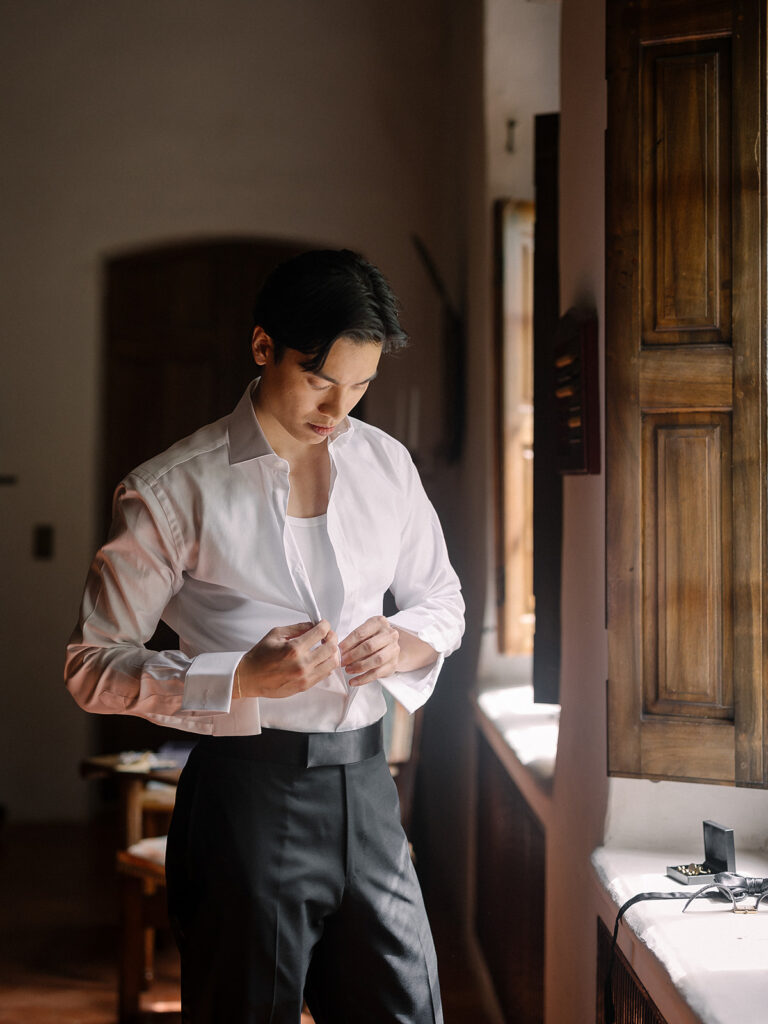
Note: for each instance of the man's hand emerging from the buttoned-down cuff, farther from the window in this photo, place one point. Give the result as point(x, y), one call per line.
point(287, 661)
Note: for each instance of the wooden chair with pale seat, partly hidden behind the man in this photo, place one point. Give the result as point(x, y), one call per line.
point(142, 868)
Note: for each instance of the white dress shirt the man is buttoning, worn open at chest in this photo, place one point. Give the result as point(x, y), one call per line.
point(199, 539)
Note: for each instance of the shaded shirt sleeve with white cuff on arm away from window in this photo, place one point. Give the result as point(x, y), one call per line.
point(108, 668)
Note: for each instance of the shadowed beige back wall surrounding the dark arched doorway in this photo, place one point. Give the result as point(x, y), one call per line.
point(136, 123)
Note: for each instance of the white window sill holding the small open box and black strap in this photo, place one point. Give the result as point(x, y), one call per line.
point(715, 960)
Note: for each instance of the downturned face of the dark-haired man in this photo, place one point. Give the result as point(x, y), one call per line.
point(295, 406)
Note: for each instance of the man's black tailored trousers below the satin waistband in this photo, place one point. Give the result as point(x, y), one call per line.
point(286, 883)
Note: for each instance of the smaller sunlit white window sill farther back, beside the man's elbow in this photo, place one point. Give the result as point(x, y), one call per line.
point(524, 736)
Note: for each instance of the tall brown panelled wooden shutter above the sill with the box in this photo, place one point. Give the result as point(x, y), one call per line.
point(686, 390)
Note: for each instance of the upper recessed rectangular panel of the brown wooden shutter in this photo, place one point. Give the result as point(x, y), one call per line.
point(686, 152)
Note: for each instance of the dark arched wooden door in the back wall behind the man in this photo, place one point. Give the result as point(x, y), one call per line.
point(178, 330)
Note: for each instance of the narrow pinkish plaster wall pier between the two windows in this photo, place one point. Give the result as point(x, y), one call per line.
point(581, 784)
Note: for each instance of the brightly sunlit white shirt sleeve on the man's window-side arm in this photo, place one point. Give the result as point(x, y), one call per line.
point(428, 593)
